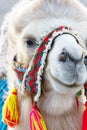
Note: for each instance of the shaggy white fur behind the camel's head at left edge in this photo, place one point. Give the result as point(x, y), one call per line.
point(3, 45)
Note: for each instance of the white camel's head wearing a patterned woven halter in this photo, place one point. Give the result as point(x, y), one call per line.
point(47, 53)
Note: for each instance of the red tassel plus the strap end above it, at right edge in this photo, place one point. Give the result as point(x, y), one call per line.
point(84, 122)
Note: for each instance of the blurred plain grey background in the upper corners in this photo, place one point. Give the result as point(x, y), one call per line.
point(5, 6)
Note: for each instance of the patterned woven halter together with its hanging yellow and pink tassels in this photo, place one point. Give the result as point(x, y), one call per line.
point(30, 76)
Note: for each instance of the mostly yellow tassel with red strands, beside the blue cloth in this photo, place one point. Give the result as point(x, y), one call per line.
point(10, 113)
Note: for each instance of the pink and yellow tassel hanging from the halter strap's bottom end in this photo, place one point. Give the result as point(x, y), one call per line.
point(36, 119)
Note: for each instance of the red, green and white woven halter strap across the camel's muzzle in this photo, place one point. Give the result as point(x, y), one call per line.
point(30, 76)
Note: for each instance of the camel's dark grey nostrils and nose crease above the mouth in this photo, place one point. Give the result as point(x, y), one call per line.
point(65, 56)
